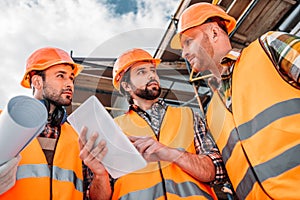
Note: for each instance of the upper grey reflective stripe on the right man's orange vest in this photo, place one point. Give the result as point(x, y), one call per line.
point(263, 119)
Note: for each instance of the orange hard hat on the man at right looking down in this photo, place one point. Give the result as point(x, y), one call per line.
point(196, 15)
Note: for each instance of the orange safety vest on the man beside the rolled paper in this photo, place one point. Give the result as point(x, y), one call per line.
point(36, 181)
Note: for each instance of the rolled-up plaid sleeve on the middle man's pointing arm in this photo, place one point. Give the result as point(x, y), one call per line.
point(204, 144)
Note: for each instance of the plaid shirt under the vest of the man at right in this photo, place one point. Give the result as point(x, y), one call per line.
point(282, 48)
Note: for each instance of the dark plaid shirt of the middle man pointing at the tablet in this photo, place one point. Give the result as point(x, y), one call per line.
point(204, 144)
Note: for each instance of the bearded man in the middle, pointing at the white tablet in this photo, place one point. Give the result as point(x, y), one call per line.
point(182, 158)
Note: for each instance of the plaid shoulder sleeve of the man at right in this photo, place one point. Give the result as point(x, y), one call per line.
point(284, 49)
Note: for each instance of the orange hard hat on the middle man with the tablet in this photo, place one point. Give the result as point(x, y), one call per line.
point(126, 60)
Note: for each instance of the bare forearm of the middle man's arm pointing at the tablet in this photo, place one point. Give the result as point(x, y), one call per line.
point(200, 167)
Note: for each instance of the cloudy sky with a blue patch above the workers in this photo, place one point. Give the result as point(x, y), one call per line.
point(88, 28)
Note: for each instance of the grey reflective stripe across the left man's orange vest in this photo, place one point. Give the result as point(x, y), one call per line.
point(42, 170)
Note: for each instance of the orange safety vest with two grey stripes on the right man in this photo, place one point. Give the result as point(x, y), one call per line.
point(259, 140)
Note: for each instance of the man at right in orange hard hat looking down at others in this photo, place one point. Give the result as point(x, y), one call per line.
point(254, 113)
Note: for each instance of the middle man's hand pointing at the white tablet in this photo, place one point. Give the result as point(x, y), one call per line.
point(151, 149)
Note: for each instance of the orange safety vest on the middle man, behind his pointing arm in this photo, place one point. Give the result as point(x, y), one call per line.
point(162, 179)
